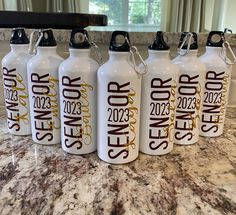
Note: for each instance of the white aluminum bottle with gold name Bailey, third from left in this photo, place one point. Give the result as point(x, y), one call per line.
point(77, 81)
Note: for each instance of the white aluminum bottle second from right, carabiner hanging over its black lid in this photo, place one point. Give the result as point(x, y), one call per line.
point(189, 92)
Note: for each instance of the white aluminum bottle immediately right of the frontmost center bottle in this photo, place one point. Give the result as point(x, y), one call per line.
point(158, 100)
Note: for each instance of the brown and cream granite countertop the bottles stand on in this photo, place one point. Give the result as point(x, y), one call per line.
point(197, 179)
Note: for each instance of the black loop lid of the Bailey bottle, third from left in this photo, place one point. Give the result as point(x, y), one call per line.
point(80, 42)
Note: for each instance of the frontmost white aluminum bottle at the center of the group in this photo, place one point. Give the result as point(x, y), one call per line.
point(119, 89)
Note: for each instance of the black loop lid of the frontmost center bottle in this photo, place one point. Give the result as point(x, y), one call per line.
point(125, 47)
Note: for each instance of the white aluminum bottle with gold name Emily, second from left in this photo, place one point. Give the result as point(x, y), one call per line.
point(43, 91)
